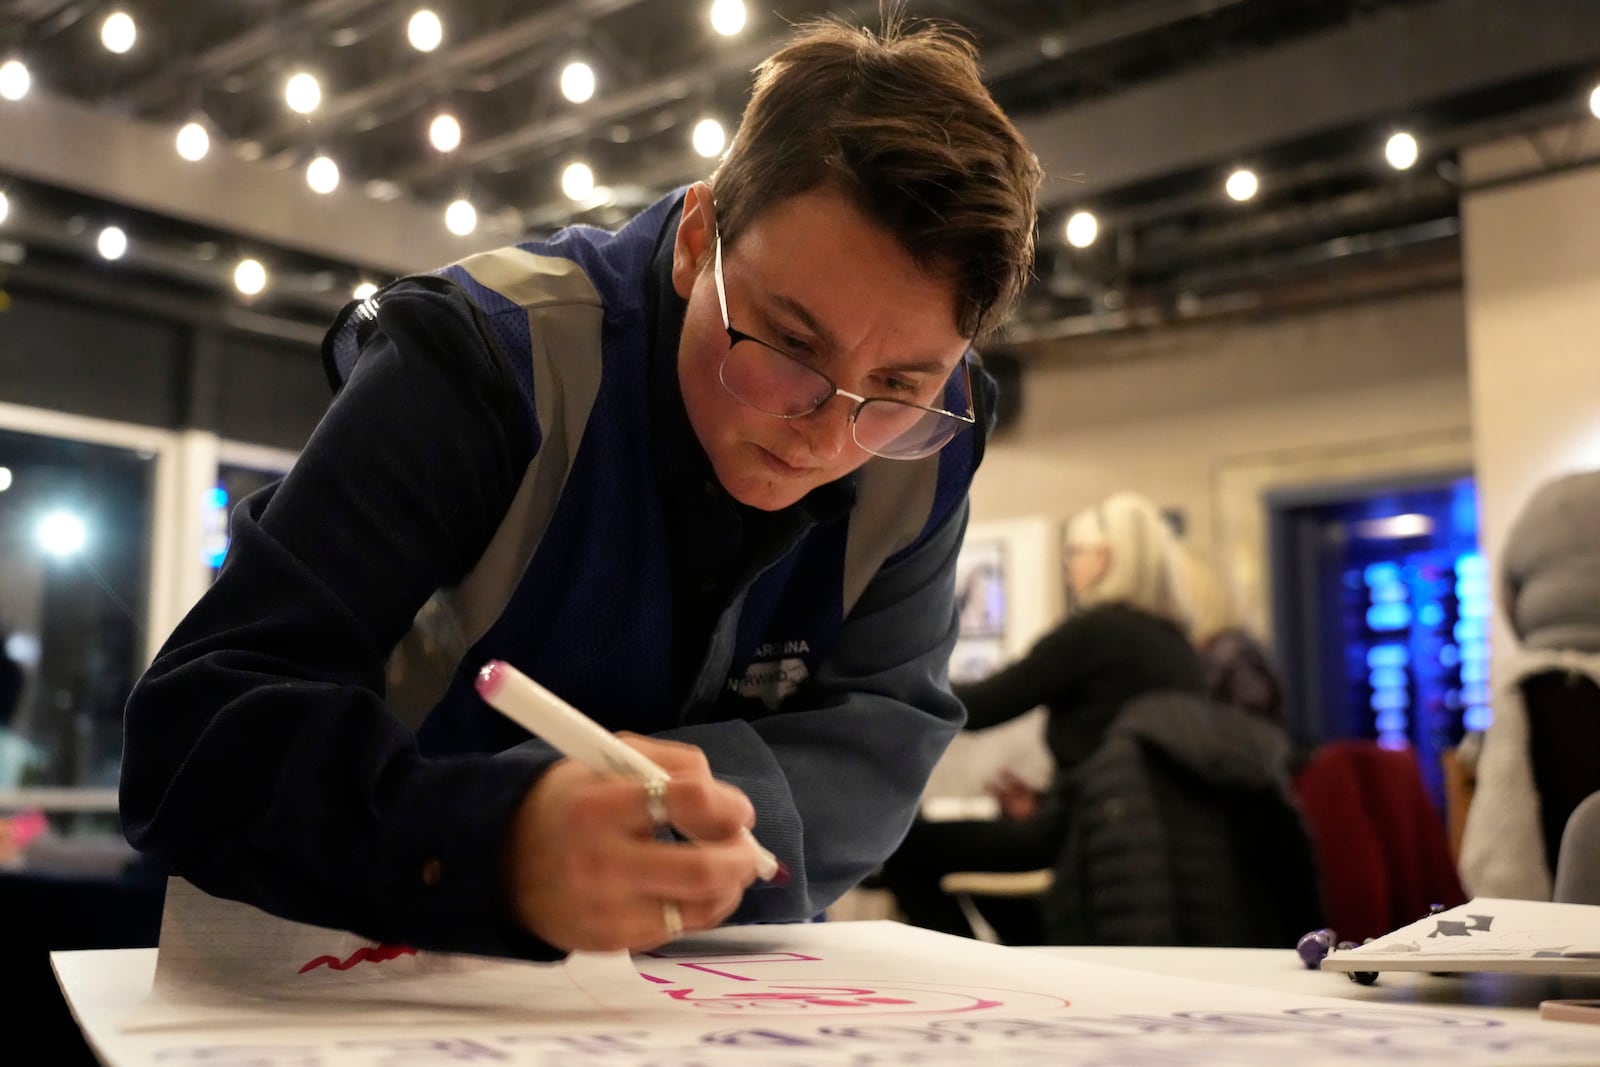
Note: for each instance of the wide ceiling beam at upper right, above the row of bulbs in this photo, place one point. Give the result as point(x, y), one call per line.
point(1377, 70)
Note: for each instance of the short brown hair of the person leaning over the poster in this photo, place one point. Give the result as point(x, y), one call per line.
point(902, 122)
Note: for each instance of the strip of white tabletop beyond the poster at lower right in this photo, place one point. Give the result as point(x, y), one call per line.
point(1281, 970)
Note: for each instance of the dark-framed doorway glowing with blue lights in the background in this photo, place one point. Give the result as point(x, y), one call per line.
point(1382, 605)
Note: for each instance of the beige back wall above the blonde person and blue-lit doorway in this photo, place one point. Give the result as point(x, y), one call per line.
point(1209, 418)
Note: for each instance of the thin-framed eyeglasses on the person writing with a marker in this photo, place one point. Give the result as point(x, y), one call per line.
point(770, 380)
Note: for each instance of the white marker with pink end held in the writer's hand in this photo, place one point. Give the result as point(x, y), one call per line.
point(580, 738)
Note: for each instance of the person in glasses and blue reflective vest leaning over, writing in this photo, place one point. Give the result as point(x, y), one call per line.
point(703, 478)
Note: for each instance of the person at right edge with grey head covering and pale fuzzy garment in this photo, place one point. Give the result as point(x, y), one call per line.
point(1538, 757)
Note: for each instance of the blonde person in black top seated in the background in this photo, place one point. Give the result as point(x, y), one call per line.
point(1126, 634)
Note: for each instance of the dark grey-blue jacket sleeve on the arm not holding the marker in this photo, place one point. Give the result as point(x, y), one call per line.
point(838, 781)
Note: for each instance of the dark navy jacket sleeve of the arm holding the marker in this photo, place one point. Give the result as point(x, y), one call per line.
point(260, 761)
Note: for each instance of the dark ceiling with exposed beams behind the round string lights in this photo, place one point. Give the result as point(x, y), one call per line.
point(1137, 108)
